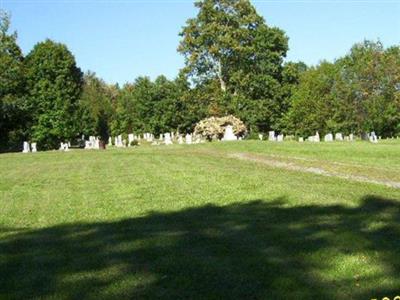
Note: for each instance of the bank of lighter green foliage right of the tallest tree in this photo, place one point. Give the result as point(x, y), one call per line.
point(358, 93)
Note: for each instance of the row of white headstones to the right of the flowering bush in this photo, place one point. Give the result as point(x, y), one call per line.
point(272, 137)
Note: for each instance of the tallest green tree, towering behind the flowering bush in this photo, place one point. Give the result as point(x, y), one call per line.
point(229, 43)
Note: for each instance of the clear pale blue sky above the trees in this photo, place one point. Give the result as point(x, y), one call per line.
point(122, 39)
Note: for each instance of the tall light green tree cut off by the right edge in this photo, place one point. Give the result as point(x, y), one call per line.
point(368, 88)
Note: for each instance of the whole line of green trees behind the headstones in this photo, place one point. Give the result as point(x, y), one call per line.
point(234, 64)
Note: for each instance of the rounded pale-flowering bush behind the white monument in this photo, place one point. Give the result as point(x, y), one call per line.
point(213, 128)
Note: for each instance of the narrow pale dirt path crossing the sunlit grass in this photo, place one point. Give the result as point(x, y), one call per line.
point(319, 171)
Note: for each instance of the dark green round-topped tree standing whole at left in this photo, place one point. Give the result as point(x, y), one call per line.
point(55, 84)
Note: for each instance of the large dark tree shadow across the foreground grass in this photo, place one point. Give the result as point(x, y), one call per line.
point(255, 250)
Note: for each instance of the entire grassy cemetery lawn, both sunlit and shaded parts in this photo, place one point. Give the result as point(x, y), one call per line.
point(234, 220)
